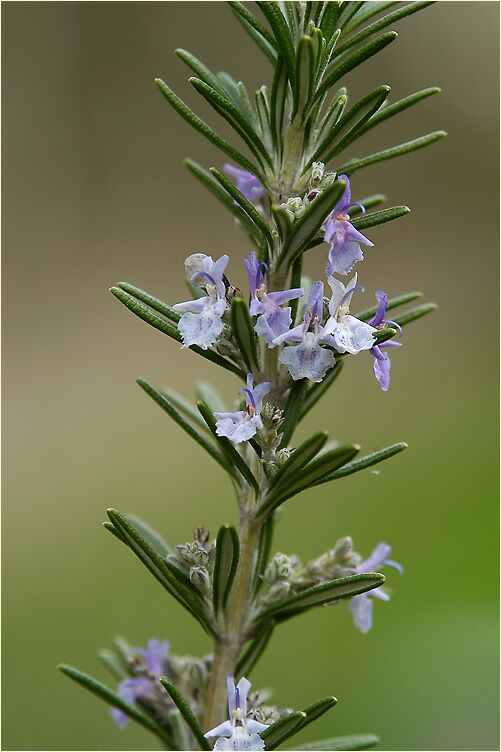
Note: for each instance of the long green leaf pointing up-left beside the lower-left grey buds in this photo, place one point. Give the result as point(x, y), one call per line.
point(159, 568)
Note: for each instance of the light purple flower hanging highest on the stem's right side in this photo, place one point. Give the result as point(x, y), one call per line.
point(344, 239)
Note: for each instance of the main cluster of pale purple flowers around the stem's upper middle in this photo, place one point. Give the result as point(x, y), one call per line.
point(327, 330)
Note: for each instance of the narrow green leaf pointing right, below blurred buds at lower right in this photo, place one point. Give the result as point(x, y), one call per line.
point(344, 587)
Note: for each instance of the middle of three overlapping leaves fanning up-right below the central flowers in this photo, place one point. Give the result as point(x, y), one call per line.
point(316, 472)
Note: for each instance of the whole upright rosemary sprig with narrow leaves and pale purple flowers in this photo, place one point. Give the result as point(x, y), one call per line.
point(286, 341)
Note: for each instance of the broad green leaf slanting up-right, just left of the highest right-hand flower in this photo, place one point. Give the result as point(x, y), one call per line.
point(304, 228)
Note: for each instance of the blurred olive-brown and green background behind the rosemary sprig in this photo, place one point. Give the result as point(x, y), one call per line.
point(94, 192)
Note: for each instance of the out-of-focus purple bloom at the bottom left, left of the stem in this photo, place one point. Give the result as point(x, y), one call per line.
point(142, 687)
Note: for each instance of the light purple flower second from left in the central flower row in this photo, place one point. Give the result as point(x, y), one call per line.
point(272, 319)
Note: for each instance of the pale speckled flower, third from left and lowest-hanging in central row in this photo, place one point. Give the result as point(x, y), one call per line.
point(308, 359)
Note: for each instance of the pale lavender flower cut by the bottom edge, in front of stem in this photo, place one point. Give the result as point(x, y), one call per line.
point(240, 732)
